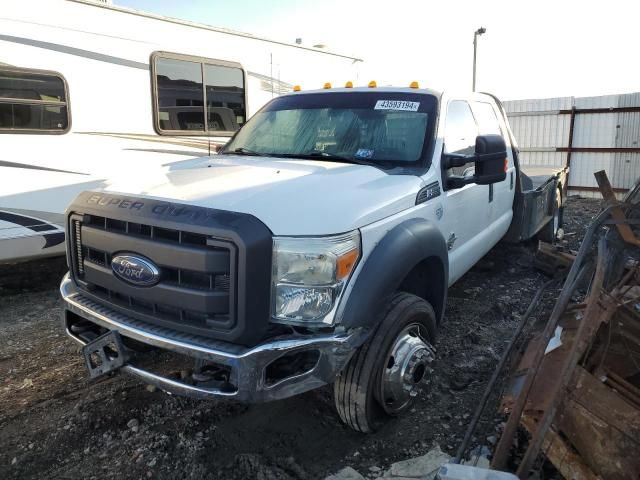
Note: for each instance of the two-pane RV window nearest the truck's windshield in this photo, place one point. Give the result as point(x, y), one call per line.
point(197, 96)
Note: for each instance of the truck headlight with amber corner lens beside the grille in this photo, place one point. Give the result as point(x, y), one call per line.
point(309, 275)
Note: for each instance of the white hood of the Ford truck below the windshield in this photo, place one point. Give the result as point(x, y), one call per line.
point(292, 197)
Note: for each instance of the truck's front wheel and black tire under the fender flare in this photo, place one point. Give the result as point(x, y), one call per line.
point(383, 377)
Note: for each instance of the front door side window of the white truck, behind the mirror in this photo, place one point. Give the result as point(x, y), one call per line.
point(460, 134)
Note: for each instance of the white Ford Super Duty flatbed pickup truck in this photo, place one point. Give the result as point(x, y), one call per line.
point(317, 247)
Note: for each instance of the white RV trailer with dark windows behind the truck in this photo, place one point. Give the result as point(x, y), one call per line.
point(90, 92)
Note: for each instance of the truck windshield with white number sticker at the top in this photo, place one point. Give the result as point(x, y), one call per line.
point(376, 127)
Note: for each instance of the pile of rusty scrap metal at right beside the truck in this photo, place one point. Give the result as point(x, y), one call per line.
point(580, 403)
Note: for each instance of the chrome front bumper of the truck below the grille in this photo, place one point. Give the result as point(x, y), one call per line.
point(247, 365)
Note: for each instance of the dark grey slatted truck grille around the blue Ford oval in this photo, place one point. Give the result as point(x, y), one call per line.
point(197, 288)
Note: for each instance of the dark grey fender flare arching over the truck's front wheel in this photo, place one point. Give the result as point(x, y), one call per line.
point(404, 247)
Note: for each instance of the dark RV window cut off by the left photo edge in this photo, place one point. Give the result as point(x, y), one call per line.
point(33, 101)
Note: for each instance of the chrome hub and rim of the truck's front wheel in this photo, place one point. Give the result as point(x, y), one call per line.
point(405, 369)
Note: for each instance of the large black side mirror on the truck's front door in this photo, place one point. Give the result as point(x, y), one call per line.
point(490, 160)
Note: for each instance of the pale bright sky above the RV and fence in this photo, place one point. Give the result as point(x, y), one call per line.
point(531, 49)
